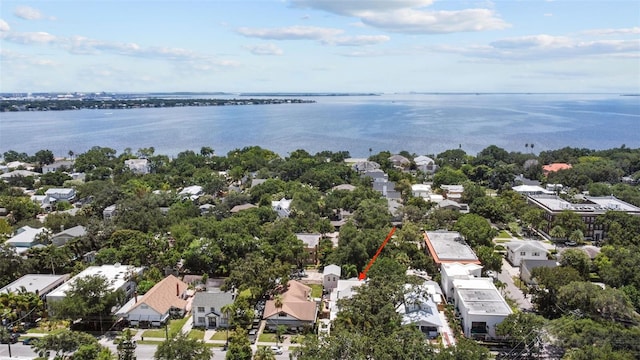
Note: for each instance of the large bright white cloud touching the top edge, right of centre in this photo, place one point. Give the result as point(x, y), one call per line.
point(410, 16)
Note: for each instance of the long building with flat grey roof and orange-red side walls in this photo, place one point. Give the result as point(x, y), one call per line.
point(449, 247)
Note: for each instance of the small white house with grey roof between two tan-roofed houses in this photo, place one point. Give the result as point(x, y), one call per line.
point(207, 308)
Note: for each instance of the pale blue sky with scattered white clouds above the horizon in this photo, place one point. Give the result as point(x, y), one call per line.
point(320, 46)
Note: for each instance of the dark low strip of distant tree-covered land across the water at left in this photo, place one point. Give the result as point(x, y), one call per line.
point(17, 105)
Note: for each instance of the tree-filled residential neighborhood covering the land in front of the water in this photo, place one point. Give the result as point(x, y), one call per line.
point(250, 253)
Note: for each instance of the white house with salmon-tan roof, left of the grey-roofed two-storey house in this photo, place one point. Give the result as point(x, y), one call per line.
point(165, 299)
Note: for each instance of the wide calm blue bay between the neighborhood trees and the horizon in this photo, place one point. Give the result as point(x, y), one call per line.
point(418, 123)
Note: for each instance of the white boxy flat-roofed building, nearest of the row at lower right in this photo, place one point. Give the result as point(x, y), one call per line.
point(481, 307)
